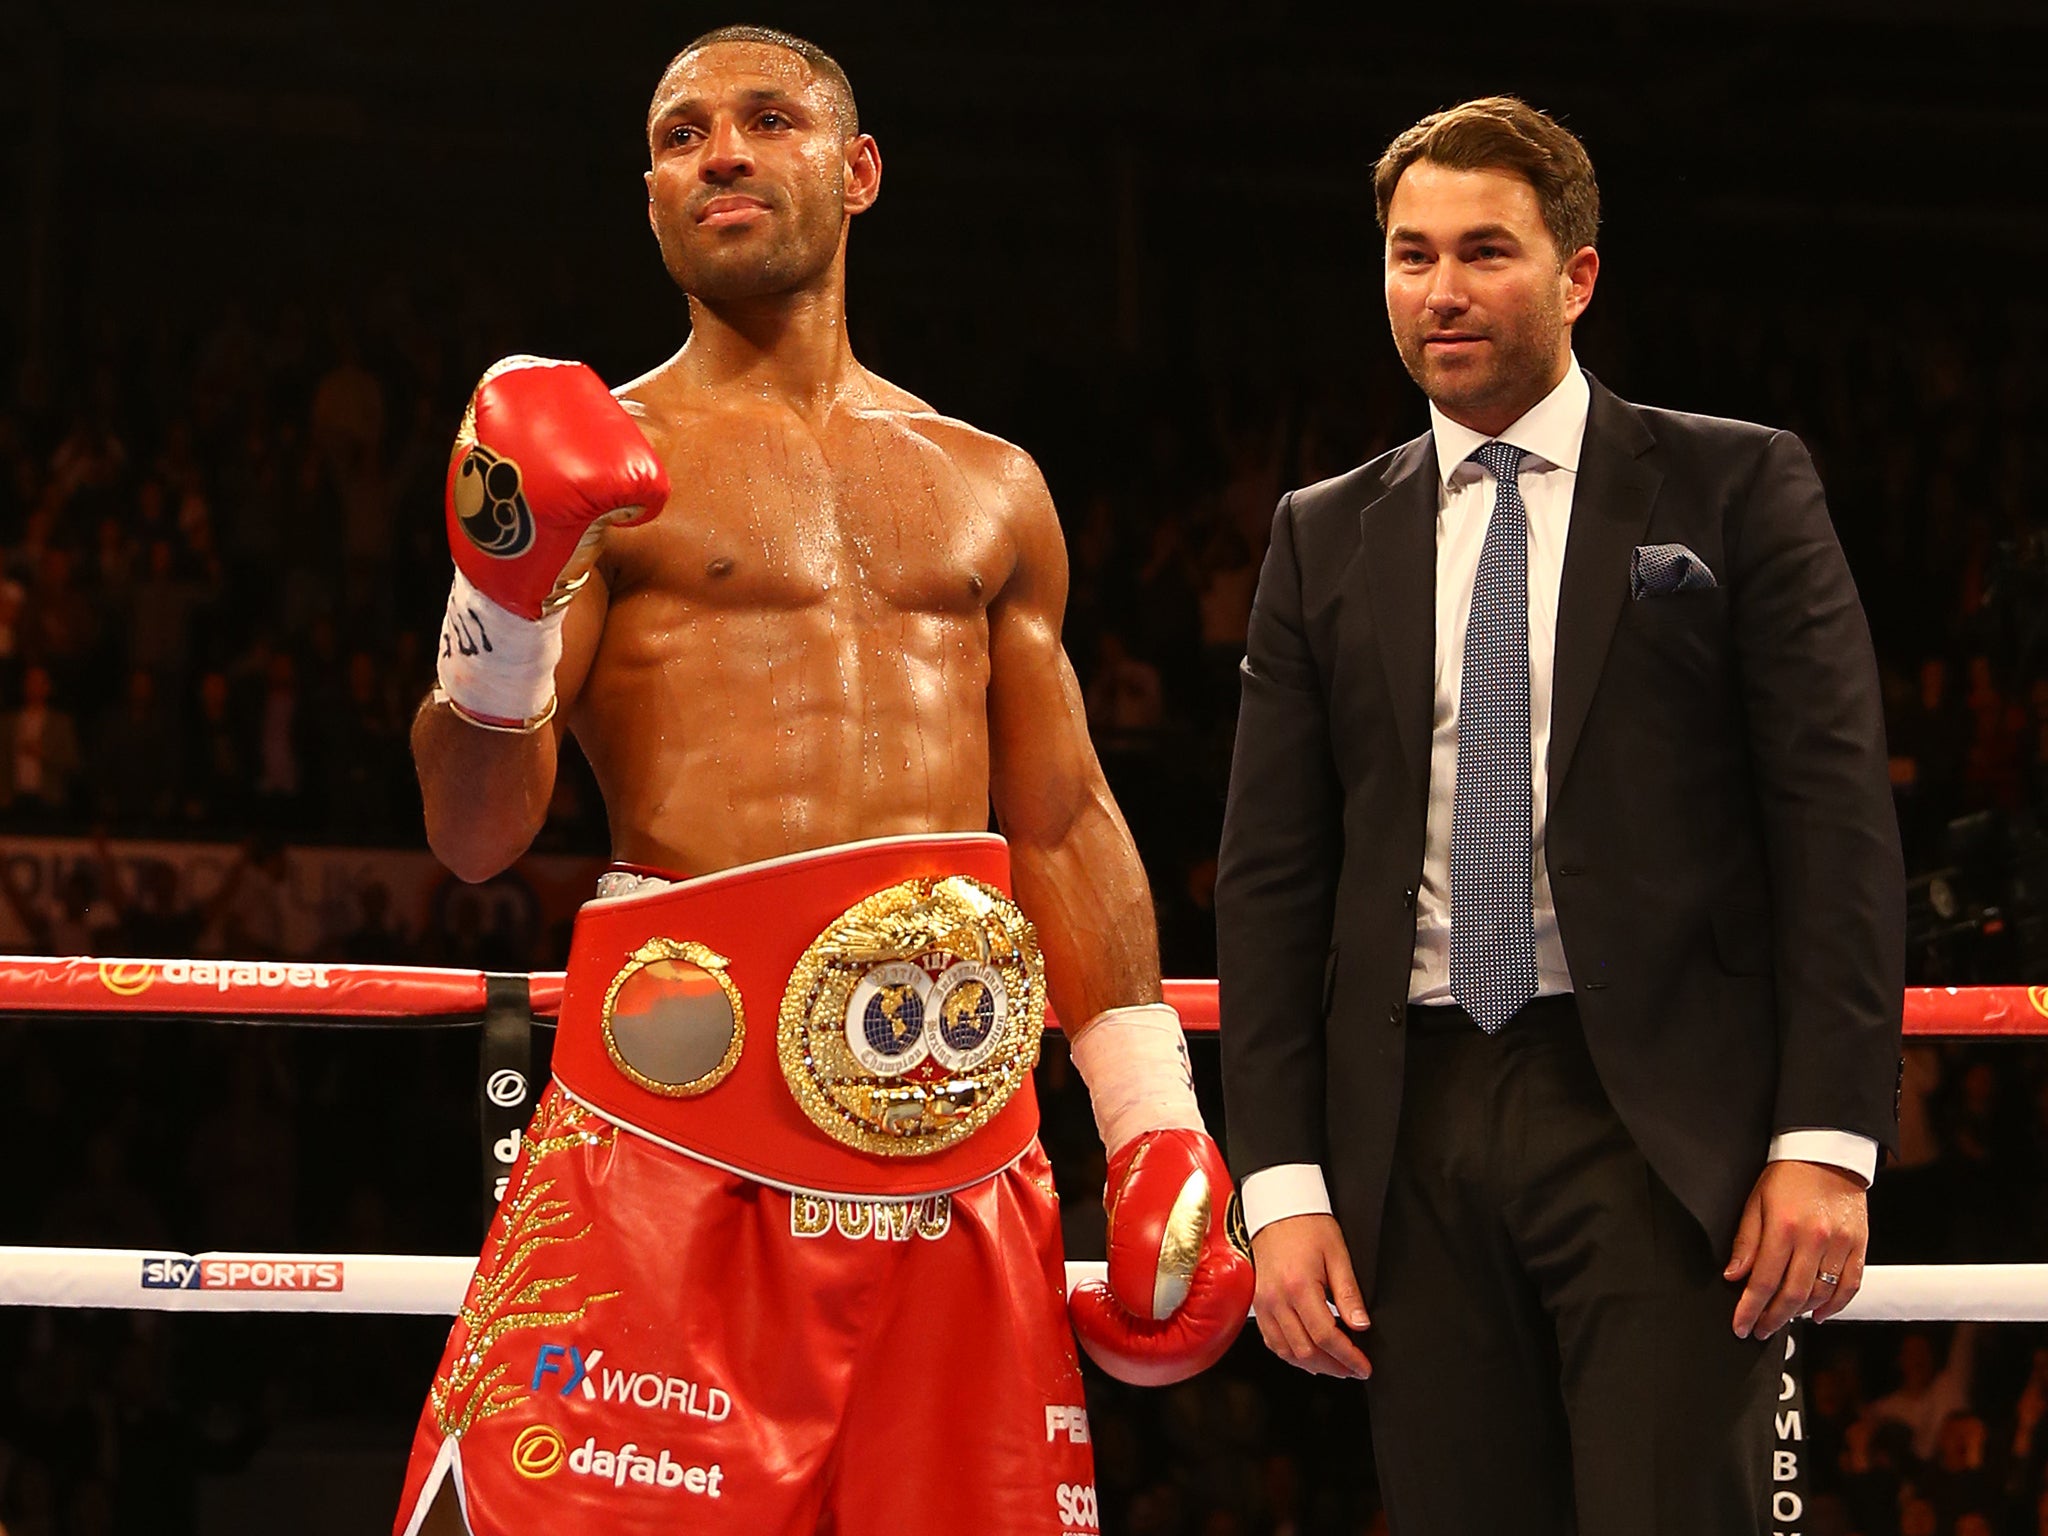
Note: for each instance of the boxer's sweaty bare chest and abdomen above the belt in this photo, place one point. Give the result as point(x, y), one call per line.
point(800, 640)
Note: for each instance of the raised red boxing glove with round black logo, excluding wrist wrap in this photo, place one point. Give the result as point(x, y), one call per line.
point(544, 460)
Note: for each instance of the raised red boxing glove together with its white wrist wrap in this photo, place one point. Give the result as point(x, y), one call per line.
point(546, 460)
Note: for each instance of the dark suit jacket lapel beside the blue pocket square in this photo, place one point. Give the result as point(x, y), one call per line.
point(1609, 513)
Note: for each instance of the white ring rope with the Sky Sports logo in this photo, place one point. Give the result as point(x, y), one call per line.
point(159, 1281)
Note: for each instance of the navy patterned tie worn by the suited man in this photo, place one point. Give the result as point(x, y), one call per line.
point(1492, 923)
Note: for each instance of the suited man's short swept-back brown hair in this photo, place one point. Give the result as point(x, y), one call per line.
point(1504, 134)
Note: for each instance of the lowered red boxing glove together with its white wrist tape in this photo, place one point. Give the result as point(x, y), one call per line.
point(1177, 1291)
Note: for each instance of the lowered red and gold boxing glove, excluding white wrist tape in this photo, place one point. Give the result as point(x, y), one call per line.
point(1179, 1291)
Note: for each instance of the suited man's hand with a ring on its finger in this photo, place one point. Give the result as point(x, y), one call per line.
point(1803, 1222)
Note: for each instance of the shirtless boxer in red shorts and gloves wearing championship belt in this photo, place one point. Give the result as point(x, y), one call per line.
point(781, 1250)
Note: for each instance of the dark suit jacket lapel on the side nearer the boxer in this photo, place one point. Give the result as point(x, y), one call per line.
point(1398, 554)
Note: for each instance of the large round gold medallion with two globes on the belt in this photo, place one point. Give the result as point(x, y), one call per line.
point(914, 1019)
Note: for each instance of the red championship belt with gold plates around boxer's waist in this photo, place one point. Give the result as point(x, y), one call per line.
point(859, 1021)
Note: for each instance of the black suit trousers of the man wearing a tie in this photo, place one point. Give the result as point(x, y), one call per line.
point(1551, 1336)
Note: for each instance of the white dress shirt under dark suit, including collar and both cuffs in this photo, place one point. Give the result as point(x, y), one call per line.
point(1549, 435)
